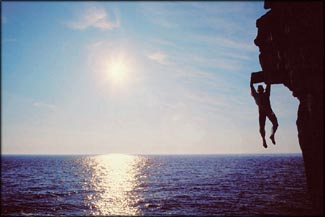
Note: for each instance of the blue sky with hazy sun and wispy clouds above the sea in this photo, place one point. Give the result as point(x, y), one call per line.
point(135, 78)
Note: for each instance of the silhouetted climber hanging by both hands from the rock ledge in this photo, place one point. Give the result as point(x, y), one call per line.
point(262, 99)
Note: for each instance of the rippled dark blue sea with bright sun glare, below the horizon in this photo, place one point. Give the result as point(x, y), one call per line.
point(117, 184)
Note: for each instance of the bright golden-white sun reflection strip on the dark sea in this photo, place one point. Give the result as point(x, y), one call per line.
point(114, 180)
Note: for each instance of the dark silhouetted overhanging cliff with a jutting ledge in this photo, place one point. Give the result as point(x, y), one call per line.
point(290, 40)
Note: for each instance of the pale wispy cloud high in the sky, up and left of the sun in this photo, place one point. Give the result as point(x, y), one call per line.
point(95, 17)
